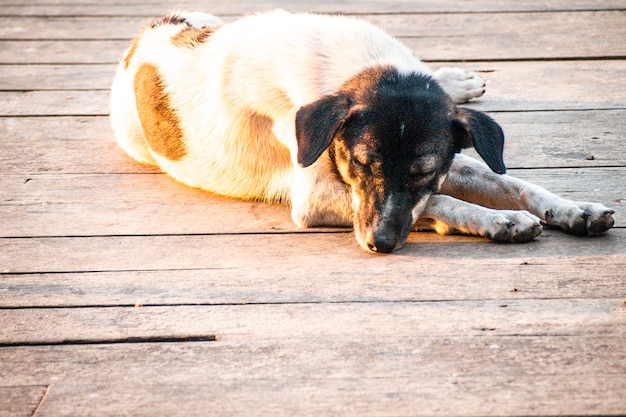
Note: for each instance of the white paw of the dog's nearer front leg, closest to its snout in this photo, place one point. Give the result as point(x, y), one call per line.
point(513, 226)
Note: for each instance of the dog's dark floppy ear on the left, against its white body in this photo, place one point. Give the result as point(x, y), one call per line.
point(317, 124)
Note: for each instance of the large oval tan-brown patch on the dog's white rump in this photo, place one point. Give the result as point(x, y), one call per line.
point(159, 120)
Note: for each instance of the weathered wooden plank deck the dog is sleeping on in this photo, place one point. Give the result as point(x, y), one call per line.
point(123, 293)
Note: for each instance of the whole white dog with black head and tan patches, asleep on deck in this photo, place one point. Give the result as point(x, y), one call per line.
point(331, 115)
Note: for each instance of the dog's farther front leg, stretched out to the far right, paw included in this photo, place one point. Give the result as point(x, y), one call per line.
point(473, 181)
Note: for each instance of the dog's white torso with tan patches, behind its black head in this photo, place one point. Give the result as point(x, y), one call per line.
point(214, 106)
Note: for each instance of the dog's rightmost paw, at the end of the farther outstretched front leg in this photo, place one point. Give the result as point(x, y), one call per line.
point(582, 219)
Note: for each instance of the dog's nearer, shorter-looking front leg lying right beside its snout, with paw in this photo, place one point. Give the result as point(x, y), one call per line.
point(446, 215)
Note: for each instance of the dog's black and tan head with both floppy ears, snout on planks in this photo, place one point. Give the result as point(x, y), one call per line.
point(392, 139)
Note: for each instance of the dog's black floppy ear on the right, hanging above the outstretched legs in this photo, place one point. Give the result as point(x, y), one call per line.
point(476, 129)
